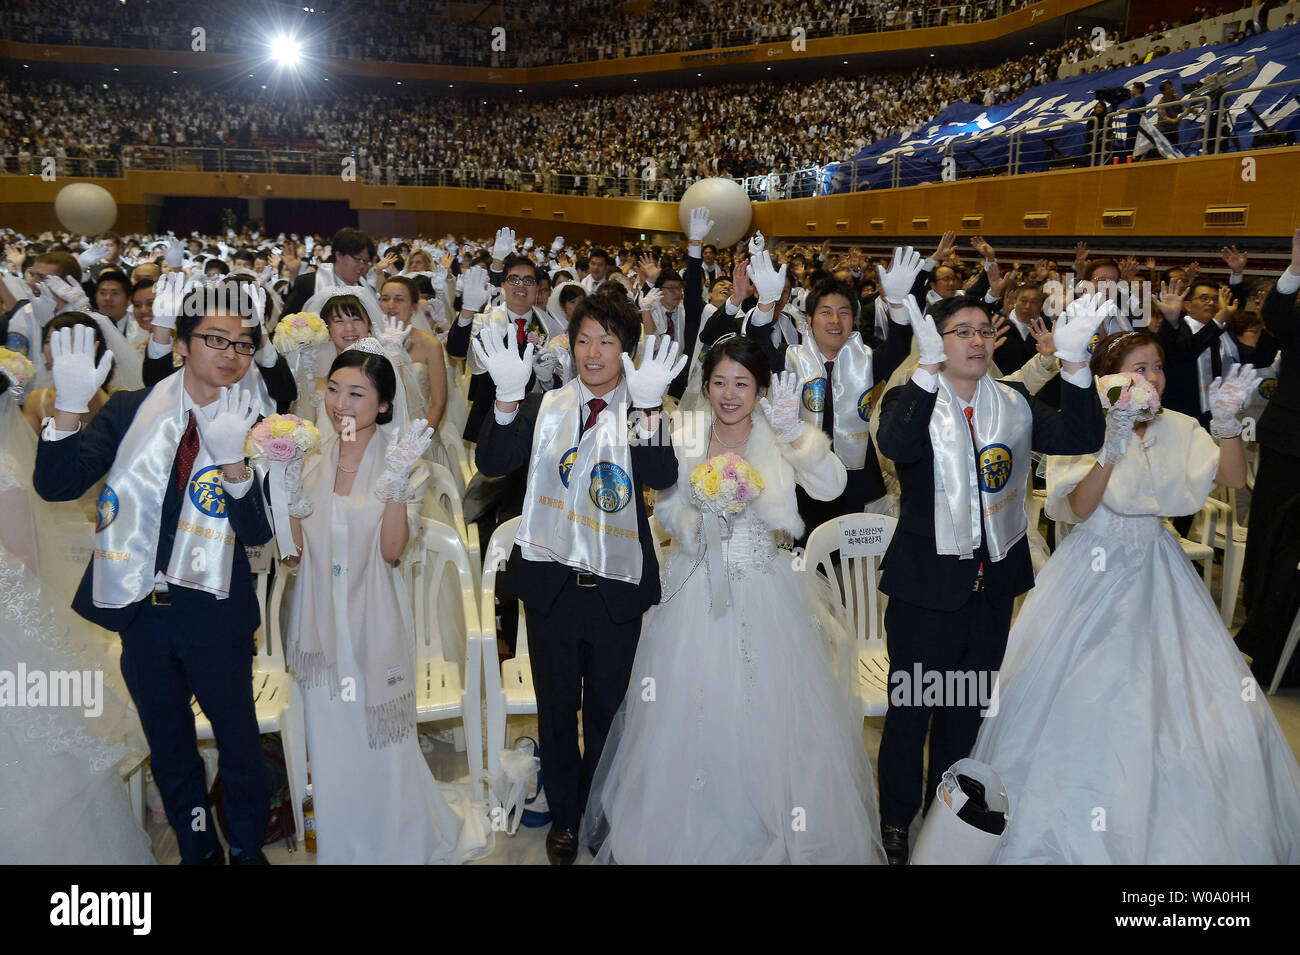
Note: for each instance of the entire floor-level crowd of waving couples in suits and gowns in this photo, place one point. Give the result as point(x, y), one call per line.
point(772, 388)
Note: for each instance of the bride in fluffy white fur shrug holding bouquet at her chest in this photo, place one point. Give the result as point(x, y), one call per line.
point(735, 744)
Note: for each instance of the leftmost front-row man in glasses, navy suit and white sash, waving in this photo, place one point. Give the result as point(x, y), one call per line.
point(170, 572)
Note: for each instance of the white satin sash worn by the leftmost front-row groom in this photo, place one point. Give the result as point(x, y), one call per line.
point(128, 531)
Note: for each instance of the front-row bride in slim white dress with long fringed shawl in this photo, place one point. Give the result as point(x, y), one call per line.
point(352, 641)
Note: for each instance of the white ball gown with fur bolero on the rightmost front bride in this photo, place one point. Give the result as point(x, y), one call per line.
point(1129, 728)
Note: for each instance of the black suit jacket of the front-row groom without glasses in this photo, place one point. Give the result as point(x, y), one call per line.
point(506, 450)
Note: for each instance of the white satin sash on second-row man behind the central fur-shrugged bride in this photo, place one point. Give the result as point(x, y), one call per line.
point(851, 394)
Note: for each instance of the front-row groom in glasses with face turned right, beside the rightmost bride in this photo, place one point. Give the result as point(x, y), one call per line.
point(963, 444)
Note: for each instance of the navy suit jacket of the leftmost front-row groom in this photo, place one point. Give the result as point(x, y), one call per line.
point(66, 470)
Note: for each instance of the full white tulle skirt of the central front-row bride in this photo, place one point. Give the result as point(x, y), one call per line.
point(735, 744)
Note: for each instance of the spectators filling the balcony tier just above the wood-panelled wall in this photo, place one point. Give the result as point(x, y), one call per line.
point(630, 144)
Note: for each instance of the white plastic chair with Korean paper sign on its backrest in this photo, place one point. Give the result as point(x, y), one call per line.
point(860, 598)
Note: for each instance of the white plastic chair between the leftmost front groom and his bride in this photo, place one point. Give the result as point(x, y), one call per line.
point(278, 700)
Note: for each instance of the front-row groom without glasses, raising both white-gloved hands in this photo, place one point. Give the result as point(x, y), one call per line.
point(584, 561)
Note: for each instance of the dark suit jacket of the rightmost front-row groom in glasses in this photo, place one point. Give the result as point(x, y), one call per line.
point(913, 570)
